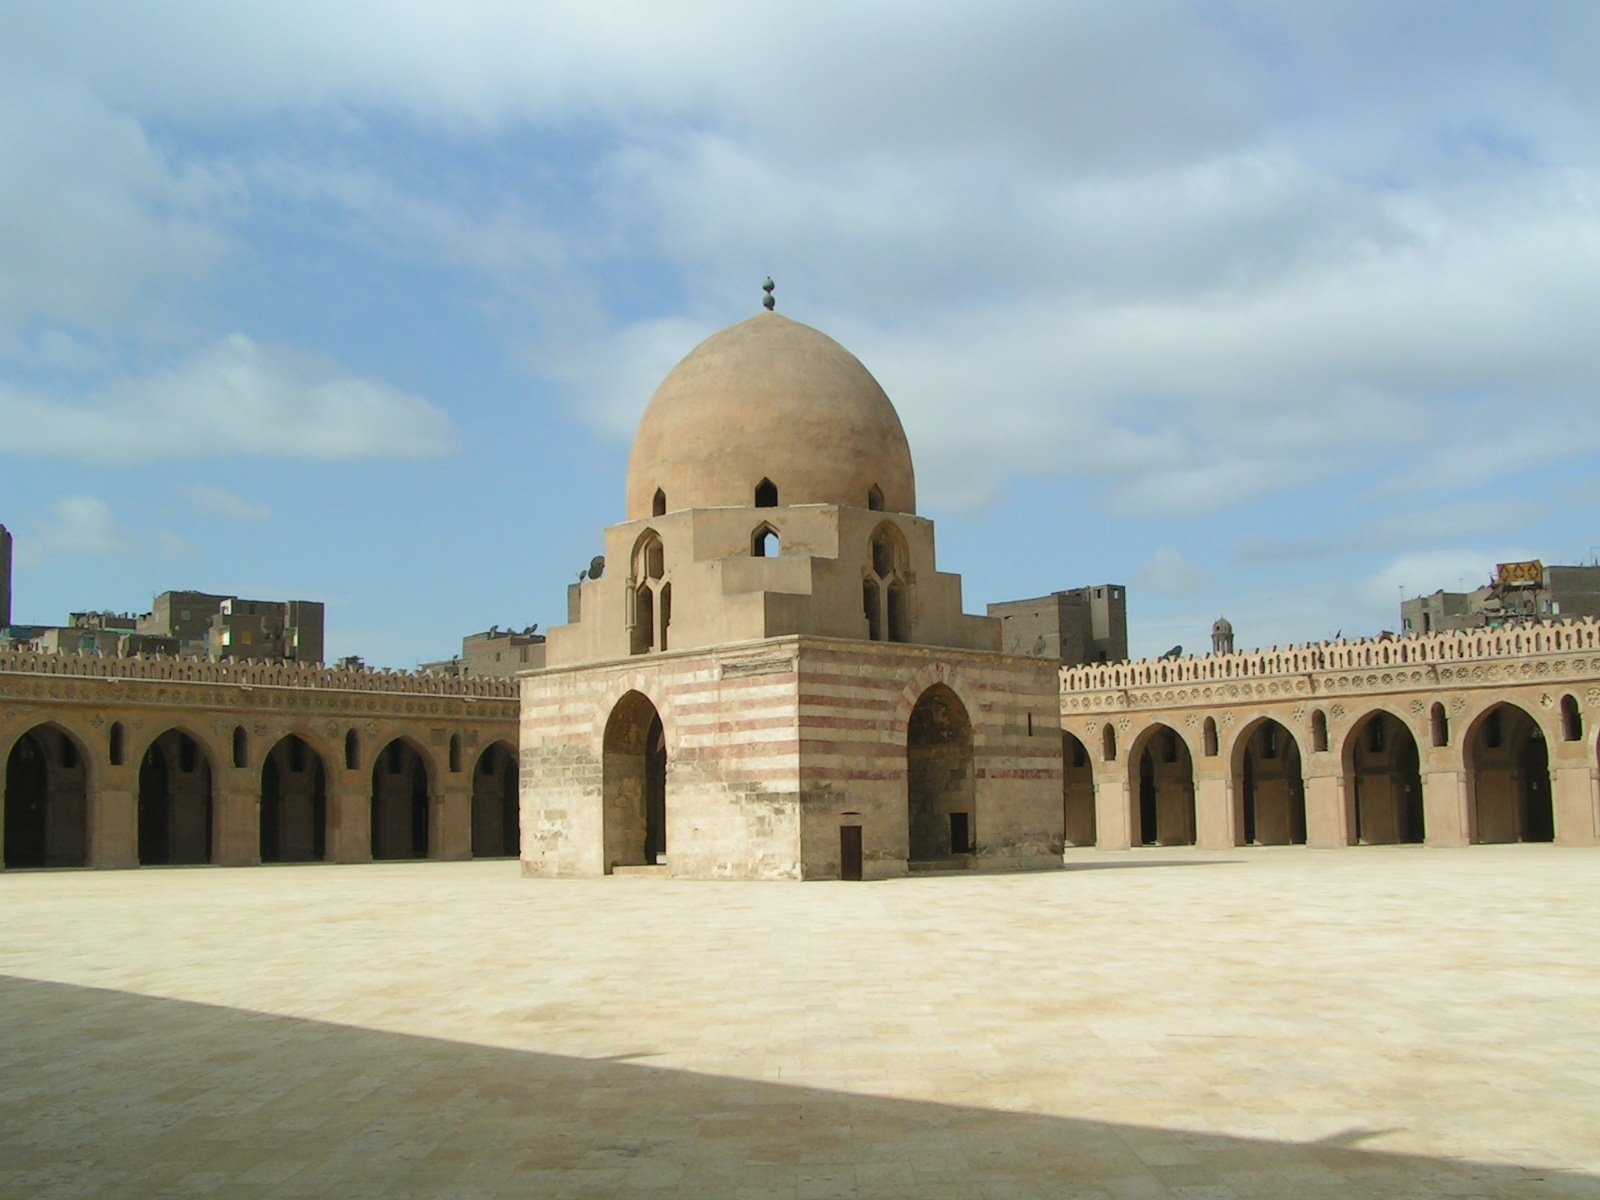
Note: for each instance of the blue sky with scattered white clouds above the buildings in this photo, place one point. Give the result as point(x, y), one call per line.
point(1271, 311)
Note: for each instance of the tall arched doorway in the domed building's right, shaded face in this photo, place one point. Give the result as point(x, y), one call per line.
point(942, 791)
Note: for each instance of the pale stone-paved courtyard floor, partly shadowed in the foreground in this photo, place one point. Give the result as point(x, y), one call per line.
point(1254, 1023)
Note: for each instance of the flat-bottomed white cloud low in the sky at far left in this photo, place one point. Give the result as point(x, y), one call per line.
point(236, 398)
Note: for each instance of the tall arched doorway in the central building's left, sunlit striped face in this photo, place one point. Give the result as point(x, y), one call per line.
point(634, 785)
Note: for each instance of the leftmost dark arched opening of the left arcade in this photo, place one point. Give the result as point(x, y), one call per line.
point(46, 801)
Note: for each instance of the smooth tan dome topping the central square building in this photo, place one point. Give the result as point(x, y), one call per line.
point(770, 401)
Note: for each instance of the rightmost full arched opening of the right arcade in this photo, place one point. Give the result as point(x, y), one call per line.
point(1510, 778)
